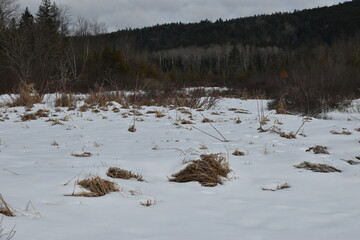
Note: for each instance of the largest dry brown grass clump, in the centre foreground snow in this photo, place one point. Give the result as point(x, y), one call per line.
point(208, 171)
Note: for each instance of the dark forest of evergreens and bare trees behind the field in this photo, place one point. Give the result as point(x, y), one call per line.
point(308, 55)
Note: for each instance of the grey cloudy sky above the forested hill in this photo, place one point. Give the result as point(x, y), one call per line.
point(120, 14)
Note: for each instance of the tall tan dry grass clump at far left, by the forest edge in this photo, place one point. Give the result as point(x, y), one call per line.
point(27, 96)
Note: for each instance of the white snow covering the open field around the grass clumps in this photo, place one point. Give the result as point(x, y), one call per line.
point(37, 170)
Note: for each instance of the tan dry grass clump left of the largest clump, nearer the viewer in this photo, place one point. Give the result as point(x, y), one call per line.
point(97, 186)
